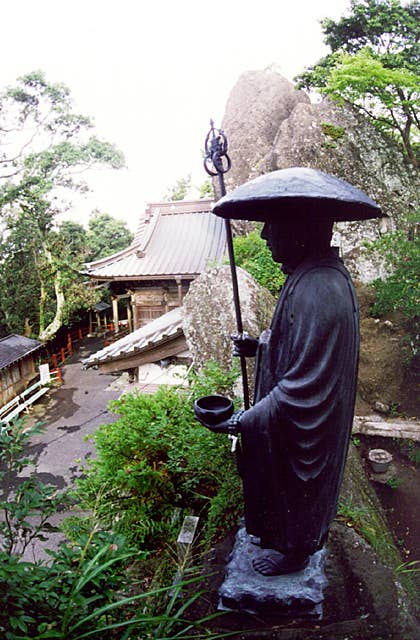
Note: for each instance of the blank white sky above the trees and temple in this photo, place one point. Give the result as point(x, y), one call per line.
point(153, 73)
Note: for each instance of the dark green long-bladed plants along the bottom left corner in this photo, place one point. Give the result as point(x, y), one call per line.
point(84, 593)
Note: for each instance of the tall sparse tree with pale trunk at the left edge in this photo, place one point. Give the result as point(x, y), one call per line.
point(44, 148)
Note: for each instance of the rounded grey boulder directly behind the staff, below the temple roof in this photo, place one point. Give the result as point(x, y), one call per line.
point(209, 315)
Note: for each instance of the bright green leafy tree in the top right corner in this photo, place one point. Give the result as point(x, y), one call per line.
point(374, 66)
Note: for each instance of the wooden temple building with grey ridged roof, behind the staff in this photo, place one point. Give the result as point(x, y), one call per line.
point(174, 243)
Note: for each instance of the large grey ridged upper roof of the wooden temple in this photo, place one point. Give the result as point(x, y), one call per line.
point(173, 239)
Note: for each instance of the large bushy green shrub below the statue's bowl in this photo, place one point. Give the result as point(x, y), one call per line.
point(156, 458)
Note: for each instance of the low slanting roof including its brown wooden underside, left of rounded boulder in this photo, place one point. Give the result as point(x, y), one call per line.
point(154, 341)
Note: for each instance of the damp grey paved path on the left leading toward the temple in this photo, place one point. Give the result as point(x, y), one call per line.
point(69, 413)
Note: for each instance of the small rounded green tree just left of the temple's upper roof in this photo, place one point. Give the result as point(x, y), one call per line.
point(106, 235)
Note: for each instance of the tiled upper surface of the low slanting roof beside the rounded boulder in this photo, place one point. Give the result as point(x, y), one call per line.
point(158, 331)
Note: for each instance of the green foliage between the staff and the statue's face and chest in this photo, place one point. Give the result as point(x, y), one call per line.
point(253, 255)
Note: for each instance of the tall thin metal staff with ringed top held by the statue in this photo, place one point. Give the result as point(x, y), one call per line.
point(217, 163)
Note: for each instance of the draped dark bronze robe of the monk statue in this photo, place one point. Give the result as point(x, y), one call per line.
point(296, 435)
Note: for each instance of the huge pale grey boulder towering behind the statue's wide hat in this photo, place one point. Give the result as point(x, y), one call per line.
point(272, 126)
